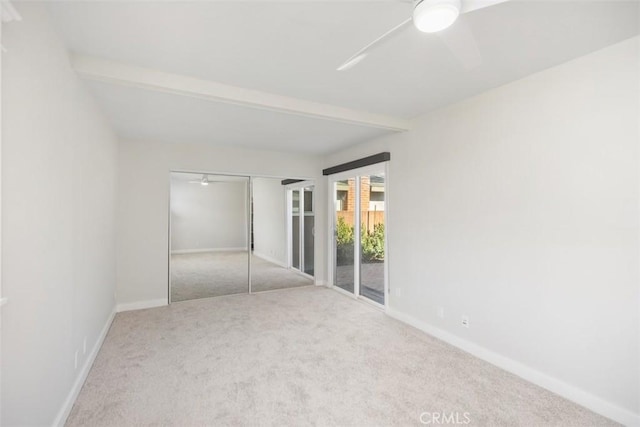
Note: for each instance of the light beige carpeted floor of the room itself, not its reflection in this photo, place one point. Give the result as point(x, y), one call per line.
point(306, 356)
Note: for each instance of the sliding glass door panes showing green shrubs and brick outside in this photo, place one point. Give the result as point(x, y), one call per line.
point(359, 243)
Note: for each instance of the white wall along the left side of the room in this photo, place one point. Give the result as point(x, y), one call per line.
point(58, 221)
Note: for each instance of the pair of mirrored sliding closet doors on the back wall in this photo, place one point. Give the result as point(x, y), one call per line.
point(232, 235)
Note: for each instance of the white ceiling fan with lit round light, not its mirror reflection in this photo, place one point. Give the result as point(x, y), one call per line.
point(434, 16)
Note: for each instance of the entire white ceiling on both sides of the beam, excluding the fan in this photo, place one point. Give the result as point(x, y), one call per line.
point(293, 48)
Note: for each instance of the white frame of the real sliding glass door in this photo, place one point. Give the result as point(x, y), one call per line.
point(331, 247)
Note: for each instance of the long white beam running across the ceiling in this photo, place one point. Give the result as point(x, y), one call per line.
point(102, 70)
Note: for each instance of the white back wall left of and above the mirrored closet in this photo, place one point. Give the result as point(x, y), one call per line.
point(143, 195)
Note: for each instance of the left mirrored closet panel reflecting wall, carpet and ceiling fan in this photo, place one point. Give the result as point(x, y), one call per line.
point(209, 235)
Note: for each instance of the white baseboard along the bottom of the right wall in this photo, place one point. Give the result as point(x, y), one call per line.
point(552, 384)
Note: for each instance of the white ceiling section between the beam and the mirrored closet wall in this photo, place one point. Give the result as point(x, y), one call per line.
point(147, 115)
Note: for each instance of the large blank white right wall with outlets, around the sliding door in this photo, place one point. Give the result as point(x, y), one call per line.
point(519, 208)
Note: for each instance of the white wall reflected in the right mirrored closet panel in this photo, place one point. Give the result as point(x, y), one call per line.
point(269, 219)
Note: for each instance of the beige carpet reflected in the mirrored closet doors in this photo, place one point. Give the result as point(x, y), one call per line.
point(212, 274)
